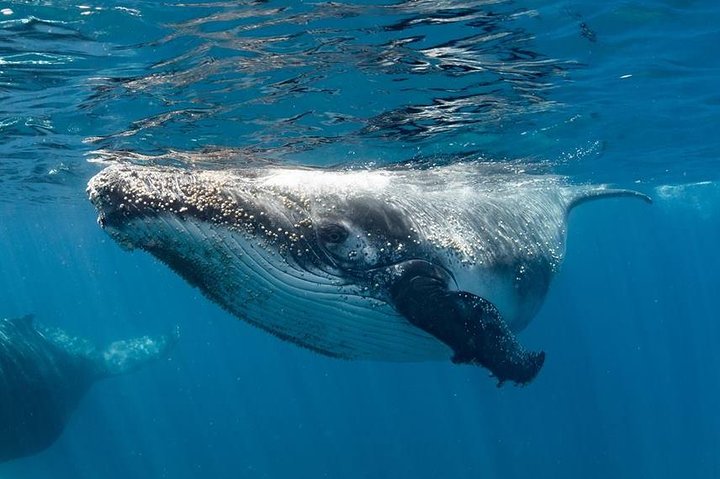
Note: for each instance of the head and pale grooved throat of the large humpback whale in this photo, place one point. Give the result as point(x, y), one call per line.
point(296, 252)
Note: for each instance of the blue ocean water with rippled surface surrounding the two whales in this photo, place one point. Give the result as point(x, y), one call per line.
point(624, 93)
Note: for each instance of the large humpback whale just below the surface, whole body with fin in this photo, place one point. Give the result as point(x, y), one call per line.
point(396, 264)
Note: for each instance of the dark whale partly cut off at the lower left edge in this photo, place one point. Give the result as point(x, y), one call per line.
point(44, 374)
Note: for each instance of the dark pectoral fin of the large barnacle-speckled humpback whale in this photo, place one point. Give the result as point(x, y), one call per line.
point(467, 323)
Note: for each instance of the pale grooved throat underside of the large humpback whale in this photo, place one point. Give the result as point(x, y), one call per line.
point(251, 280)
